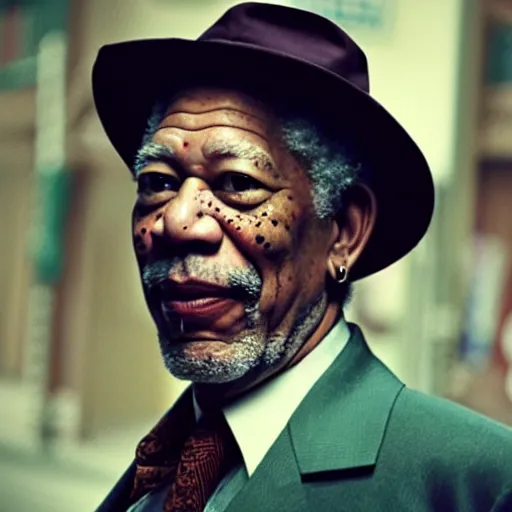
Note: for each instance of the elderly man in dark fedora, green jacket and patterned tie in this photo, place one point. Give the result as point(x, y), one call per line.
point(267, 181)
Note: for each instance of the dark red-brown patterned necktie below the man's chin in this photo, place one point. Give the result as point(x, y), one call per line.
point(195, 465)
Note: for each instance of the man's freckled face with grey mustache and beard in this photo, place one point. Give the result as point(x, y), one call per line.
point(231, 253)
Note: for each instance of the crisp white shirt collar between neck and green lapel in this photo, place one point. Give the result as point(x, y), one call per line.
point(257, 419)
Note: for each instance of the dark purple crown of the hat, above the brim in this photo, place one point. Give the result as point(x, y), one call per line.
point(294, 32)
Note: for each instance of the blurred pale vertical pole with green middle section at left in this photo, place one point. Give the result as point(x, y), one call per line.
point(48, 220)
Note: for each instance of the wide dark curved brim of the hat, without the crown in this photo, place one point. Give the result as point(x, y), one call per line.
point(126, 81)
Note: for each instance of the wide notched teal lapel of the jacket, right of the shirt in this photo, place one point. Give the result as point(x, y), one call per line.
point(341, 423)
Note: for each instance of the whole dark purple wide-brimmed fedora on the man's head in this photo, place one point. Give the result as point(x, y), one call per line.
point(299, 56)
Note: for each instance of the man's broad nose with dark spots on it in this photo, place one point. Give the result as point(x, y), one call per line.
point(185, 220)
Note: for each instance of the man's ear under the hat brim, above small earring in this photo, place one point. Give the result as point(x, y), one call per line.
point(352, 228)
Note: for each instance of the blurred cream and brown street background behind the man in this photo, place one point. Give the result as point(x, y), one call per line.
point(80, 373)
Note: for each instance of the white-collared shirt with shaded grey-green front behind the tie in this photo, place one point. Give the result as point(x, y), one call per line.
point(257, 419)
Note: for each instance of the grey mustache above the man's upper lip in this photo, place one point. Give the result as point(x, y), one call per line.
point(245, 280)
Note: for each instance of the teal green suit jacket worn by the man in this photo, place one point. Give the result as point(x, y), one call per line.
point(362, 441)
